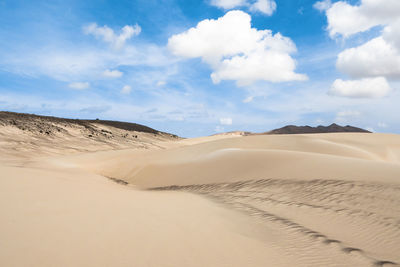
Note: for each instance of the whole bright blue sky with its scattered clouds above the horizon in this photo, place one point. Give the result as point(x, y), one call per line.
point(75, 59)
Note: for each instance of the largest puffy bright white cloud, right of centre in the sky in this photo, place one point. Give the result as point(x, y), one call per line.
point(236, 51)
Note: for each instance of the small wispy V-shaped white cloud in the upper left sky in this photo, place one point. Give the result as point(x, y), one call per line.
point(109, 36)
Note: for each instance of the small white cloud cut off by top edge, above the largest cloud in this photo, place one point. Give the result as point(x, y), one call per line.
point(266, 7)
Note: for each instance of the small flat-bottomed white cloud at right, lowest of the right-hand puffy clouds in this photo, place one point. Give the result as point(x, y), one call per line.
point(363, 88)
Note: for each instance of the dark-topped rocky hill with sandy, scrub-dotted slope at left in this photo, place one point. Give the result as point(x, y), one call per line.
point(50, 135)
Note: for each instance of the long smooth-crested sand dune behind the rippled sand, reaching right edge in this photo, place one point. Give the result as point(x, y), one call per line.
point(348, 156)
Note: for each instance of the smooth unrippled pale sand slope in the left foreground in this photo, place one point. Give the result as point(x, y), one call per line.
point(76, 219)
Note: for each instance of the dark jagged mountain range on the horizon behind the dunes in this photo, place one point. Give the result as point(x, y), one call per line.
point(333, 128)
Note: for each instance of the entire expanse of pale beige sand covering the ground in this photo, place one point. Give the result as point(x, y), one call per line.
point(266, 200)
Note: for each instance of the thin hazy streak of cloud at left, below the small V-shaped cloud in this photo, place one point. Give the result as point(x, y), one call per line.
point(81, 61)
